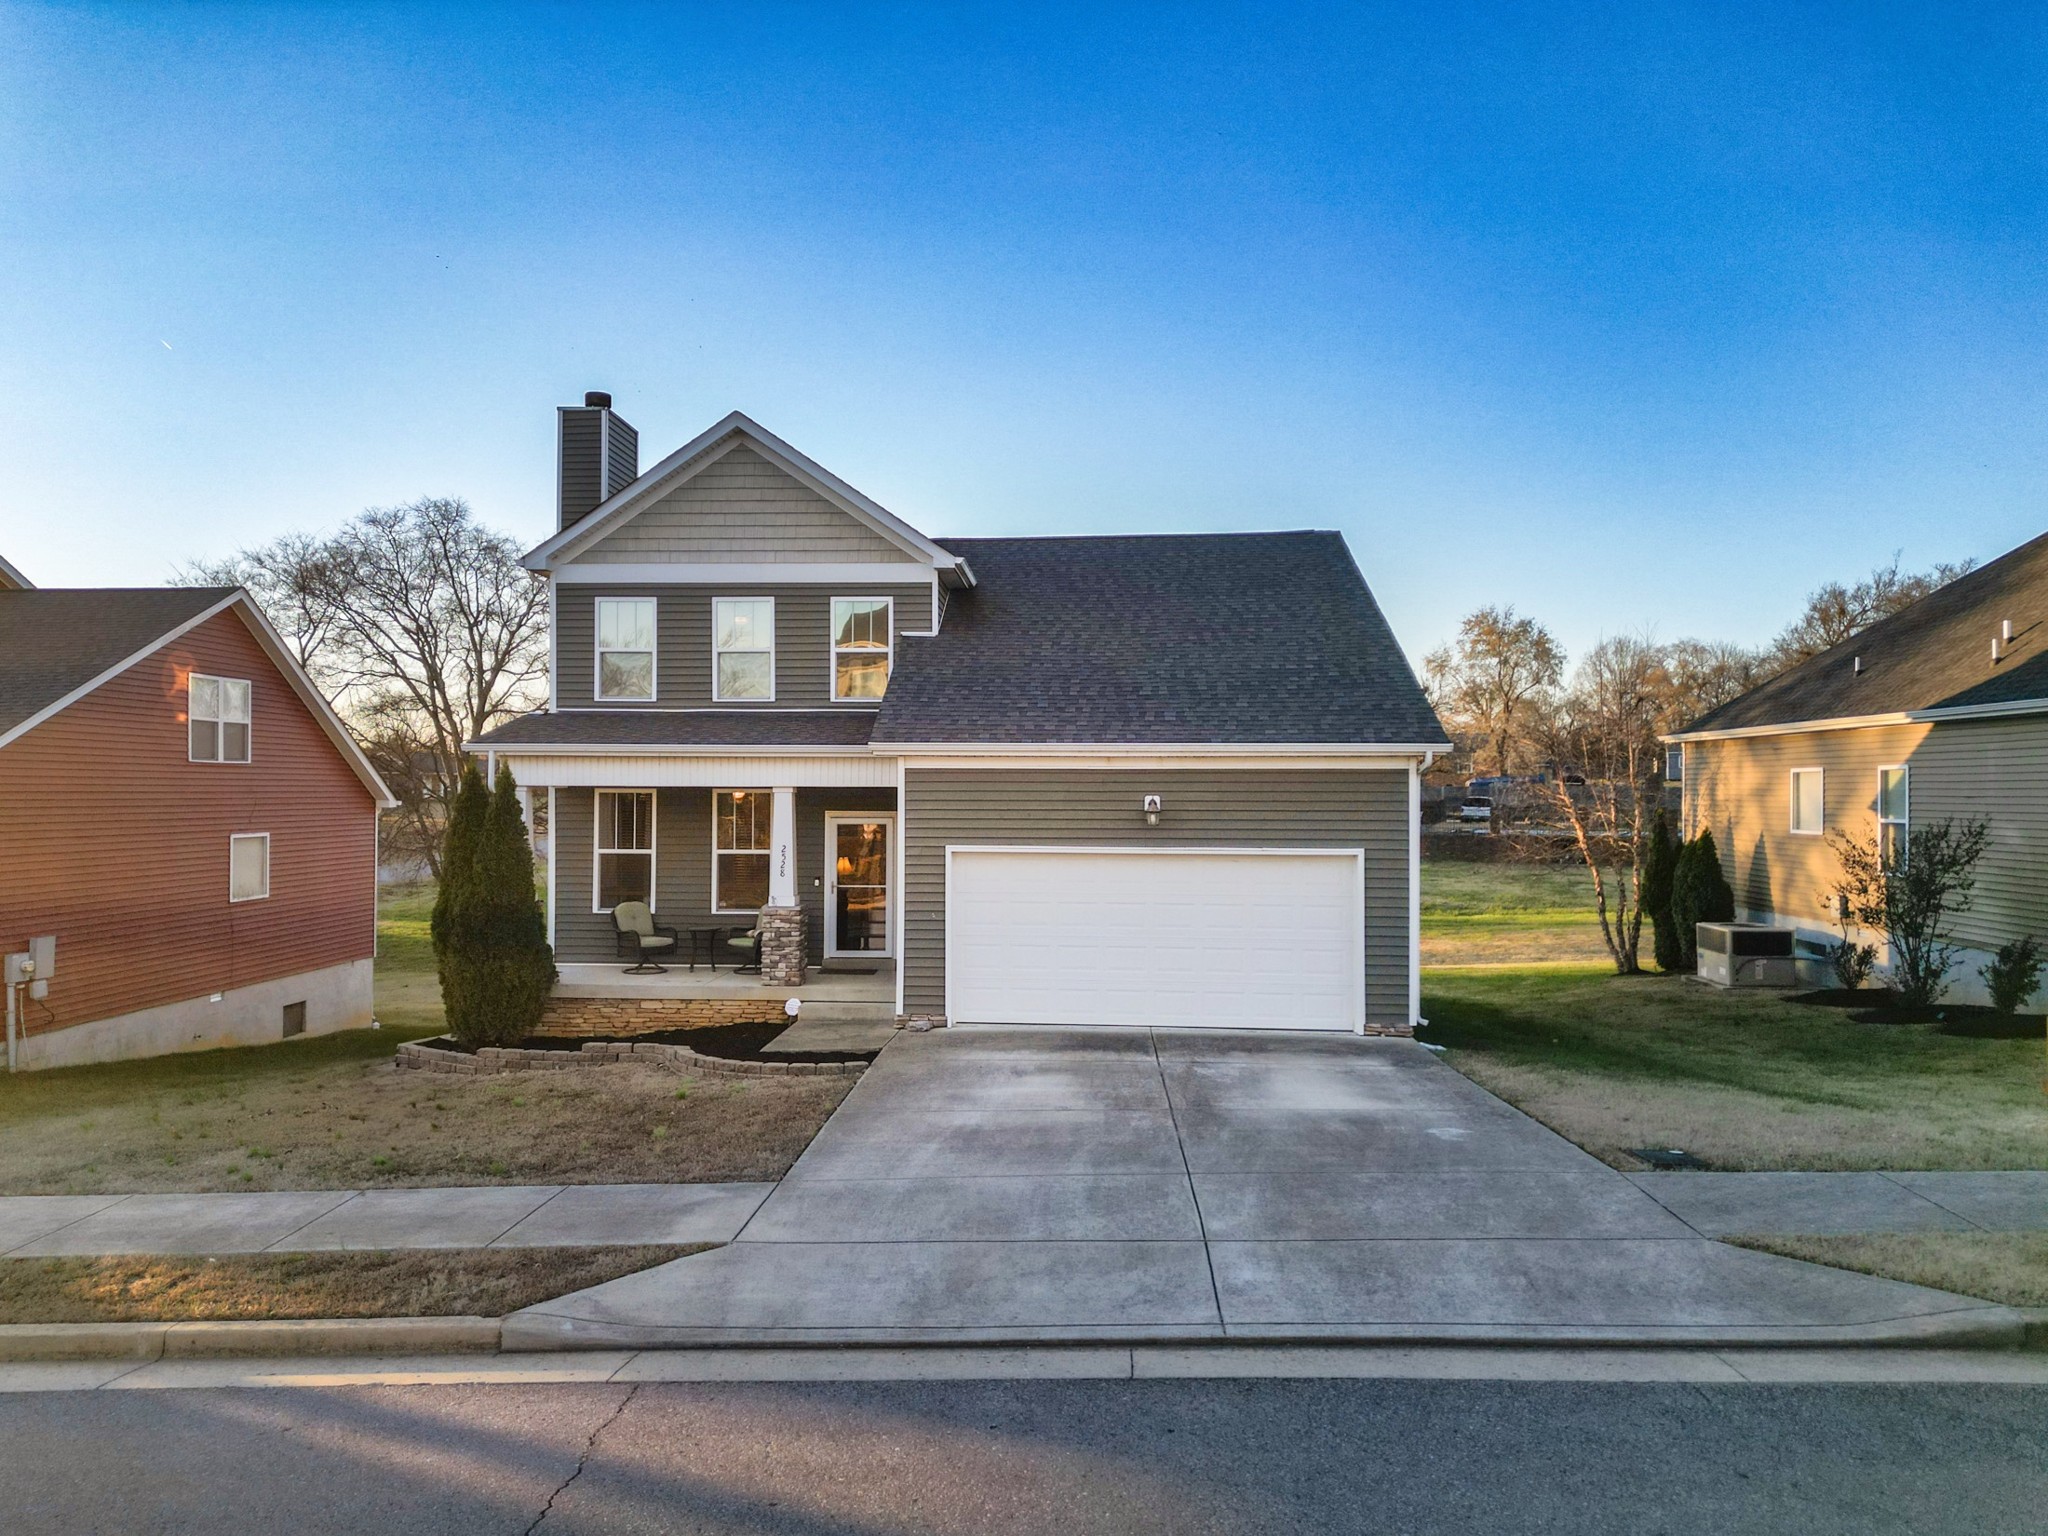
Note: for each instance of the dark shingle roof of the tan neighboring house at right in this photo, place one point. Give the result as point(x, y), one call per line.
point(1930, 656)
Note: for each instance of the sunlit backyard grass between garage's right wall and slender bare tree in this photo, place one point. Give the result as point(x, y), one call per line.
point(1506, 914)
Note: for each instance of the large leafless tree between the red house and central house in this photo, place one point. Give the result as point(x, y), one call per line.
point(421, 626)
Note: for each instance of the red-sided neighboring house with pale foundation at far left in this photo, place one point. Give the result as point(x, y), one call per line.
point(189, 820)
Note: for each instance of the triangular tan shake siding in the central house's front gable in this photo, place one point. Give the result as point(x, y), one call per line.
point(742, 509)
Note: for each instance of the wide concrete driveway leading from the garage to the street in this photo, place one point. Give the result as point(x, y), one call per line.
point(1056, 1185)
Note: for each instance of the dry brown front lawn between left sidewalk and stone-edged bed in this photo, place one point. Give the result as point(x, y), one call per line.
point(312, 1119)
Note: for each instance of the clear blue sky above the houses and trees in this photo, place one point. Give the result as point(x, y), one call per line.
point(1637, 316)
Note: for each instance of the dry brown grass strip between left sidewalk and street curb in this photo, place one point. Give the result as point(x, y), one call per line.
point(423, 1283)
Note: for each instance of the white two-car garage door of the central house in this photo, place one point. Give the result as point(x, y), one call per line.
point(1199, 939)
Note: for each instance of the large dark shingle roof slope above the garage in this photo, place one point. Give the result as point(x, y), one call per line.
point(1248, 638)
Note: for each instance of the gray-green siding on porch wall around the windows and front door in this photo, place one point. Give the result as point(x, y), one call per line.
point(683, 865)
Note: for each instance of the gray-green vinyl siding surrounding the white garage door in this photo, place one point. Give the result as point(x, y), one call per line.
point(1203, 810)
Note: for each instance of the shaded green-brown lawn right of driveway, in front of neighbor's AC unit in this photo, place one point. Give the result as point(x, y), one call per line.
point(1736, 1078)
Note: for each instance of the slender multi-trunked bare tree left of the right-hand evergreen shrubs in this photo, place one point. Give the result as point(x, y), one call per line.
point(1607, 781)
